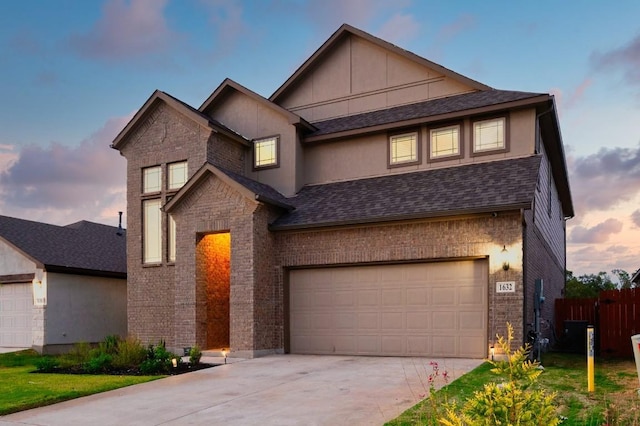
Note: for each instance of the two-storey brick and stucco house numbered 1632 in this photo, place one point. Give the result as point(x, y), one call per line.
point(377, 203)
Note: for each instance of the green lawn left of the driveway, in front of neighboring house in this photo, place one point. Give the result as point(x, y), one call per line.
point(23, 389)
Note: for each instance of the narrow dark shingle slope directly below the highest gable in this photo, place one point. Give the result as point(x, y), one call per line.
point(424, 109)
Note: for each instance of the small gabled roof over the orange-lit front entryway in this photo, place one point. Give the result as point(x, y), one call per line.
point(252, 190)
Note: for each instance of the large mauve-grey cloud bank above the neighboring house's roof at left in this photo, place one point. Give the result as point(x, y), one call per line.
point(62, 184)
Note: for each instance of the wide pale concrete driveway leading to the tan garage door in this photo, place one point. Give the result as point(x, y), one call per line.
point(273, 390)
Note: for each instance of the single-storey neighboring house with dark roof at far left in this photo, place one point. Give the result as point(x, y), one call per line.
point(60, 285)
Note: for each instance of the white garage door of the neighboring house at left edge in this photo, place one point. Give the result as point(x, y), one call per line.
point(16, 303)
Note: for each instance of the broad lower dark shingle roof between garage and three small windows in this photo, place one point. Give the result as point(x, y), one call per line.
point(473, 188)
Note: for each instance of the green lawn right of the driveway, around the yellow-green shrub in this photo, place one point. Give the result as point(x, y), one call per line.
point(614, 402)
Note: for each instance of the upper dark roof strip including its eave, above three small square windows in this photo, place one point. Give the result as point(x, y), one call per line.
point(434, 109)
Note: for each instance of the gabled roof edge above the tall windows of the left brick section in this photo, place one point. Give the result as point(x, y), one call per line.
point(181, 107)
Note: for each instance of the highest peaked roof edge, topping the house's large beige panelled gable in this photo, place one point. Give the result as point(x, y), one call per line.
point(346, 30)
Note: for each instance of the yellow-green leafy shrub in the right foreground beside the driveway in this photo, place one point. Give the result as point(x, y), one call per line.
point(512, 402)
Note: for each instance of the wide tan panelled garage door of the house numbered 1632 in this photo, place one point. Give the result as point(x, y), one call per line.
point(425, 309)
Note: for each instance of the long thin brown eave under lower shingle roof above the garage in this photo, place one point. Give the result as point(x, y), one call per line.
point(402, 218)
